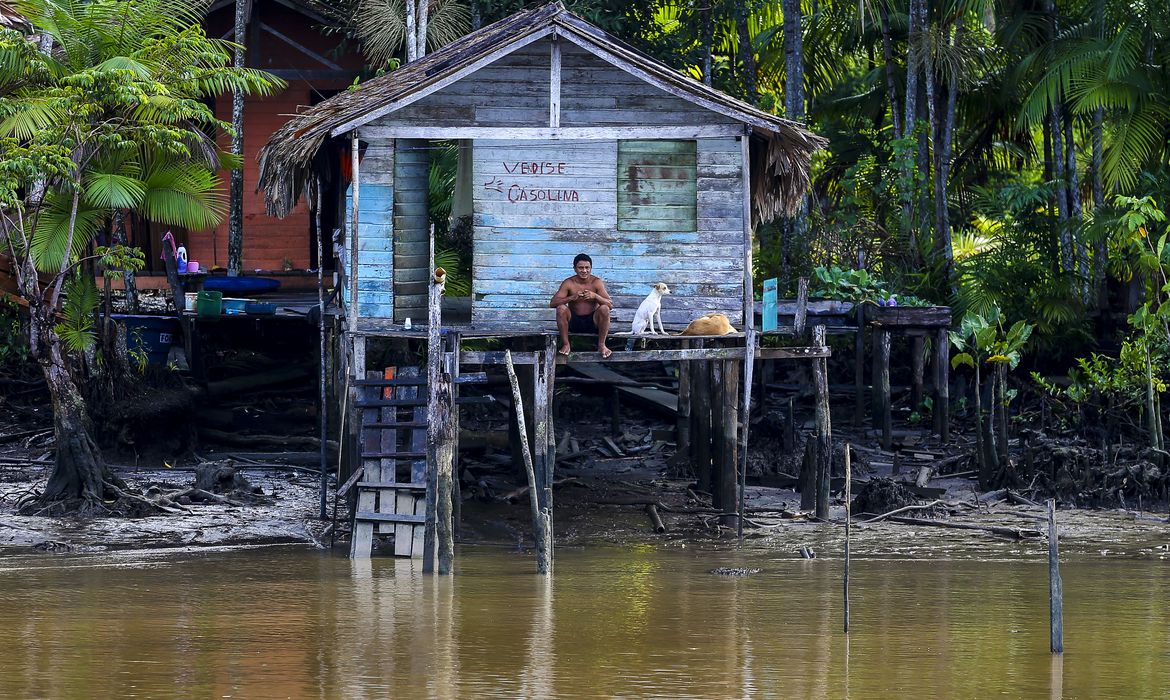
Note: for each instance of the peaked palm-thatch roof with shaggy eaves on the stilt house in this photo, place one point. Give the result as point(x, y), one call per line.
point(780, 169)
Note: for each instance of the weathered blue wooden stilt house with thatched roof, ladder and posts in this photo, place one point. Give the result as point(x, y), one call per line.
point(570, 141)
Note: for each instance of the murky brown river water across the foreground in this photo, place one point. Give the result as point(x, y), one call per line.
point(614, 622)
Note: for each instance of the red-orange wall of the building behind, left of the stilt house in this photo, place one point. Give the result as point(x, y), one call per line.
point(269, 242)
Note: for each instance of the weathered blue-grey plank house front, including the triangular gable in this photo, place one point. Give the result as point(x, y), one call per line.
point(529, 224)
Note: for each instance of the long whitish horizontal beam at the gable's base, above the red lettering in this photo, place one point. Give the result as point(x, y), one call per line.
point(676, 133)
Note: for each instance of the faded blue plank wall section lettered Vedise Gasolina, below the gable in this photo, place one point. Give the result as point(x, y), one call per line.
point(525, 249)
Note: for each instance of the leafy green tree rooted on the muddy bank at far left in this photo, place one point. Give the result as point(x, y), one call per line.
point(113, 116)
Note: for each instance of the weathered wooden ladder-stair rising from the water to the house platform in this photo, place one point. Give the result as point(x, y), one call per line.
point(391, 492)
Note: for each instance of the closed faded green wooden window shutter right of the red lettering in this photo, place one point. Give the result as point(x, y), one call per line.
point(657, 186)
